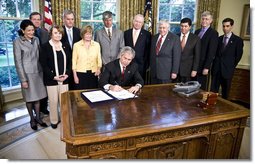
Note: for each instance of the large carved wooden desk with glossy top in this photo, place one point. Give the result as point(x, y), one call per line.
point(159, 124)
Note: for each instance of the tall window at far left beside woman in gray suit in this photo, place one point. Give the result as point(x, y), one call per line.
point(11, 13)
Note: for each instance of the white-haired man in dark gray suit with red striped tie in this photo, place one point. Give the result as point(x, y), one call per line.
point(165, 55)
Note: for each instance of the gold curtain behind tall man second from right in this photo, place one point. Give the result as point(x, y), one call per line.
point(208, 5)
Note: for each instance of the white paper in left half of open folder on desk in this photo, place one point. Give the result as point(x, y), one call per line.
point(96, 96)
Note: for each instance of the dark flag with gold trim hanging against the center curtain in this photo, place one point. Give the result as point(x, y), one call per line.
point(148, 16)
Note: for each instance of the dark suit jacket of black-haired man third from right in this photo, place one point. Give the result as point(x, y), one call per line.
point(190, 55)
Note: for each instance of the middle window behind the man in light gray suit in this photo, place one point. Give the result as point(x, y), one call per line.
point(92, 10)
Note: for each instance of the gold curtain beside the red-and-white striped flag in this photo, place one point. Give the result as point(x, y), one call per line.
point(58, 6)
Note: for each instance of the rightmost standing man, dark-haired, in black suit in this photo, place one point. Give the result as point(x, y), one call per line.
point(229, 53)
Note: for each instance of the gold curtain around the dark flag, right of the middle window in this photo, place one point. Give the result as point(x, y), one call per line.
point(128, 9)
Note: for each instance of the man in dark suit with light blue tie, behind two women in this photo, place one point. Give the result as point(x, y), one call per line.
point(71, 36)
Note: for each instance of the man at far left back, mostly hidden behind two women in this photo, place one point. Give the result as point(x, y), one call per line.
point(40, 33)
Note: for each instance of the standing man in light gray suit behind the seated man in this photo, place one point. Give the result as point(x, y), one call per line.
point(111, 40)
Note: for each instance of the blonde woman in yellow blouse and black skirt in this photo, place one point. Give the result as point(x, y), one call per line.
point(86, 61)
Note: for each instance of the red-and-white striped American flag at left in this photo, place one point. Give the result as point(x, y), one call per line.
point(47, 15)
